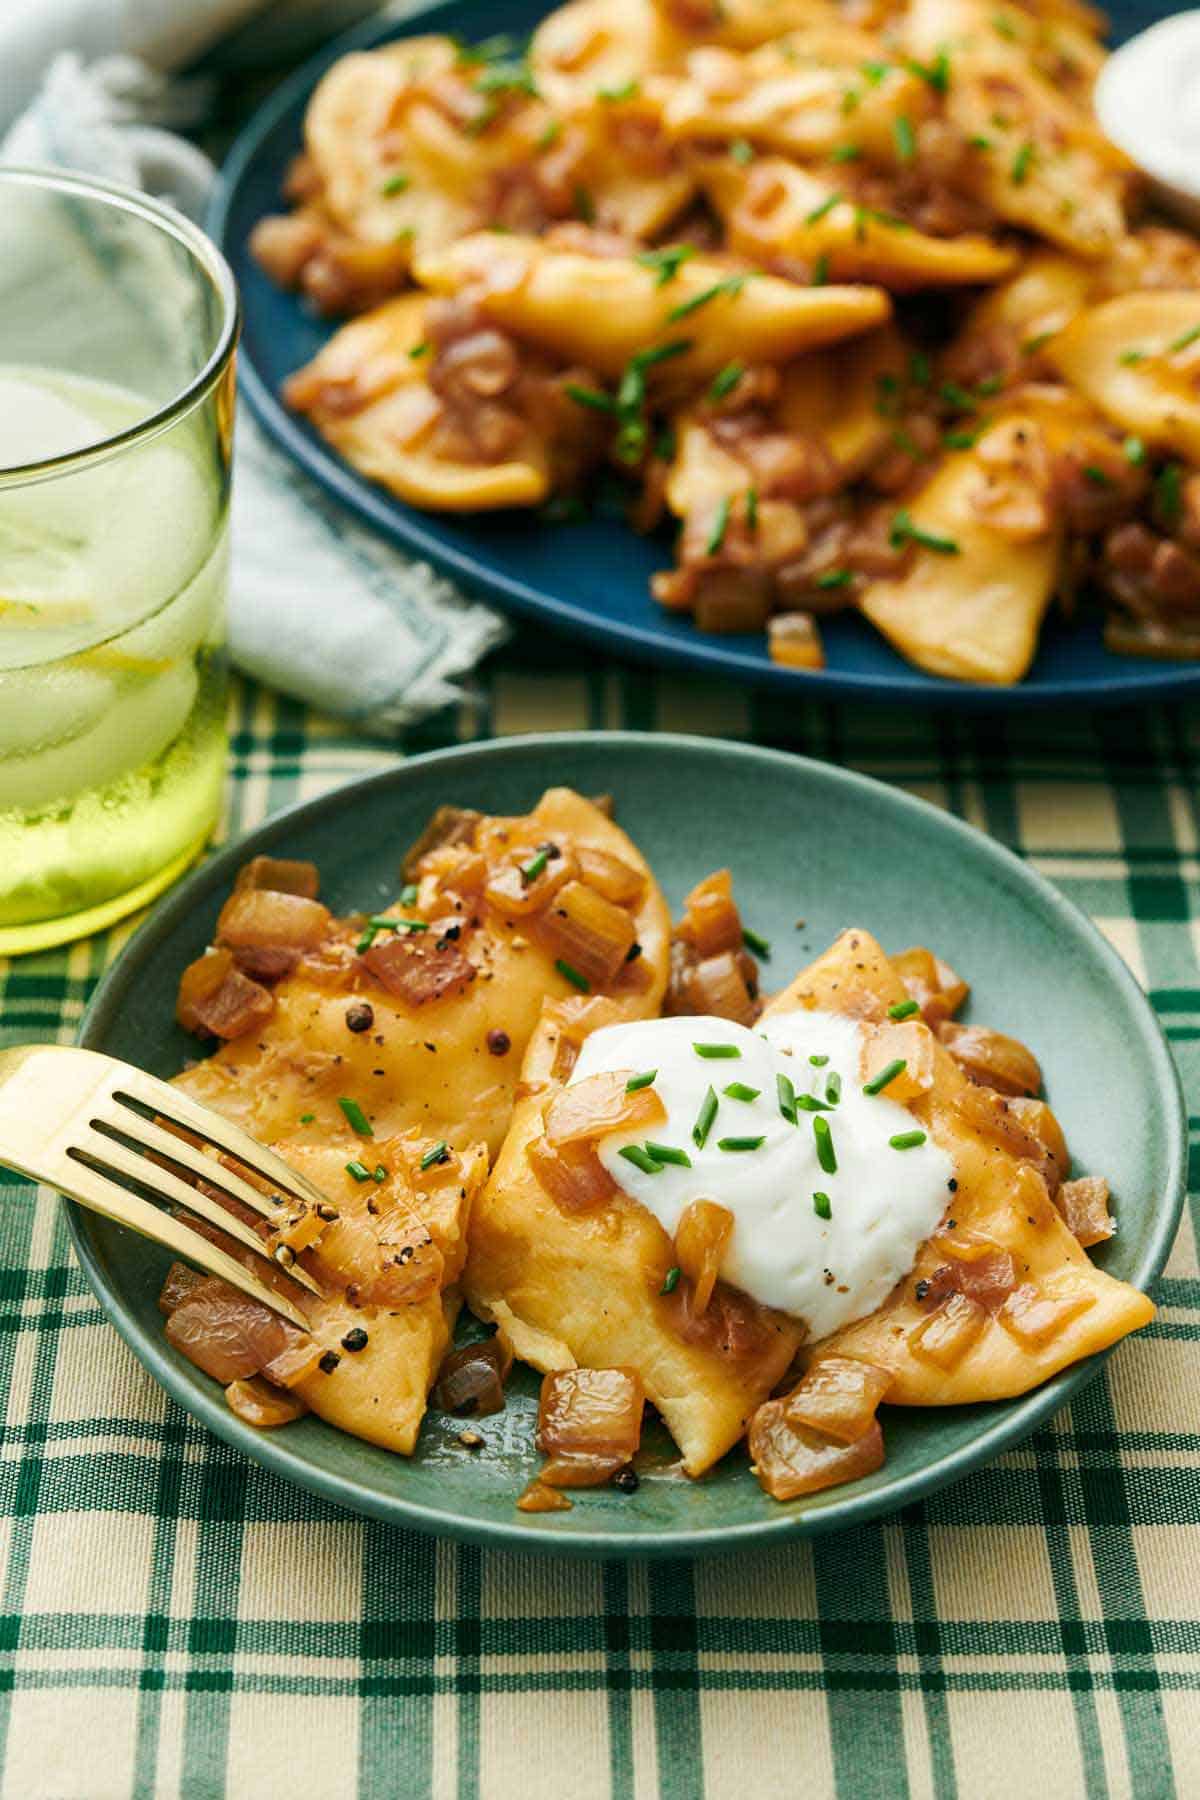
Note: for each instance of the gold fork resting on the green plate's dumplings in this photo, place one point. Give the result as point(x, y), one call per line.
point(80, 1122)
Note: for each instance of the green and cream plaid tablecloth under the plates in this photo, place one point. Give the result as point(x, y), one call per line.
point(177, 1623)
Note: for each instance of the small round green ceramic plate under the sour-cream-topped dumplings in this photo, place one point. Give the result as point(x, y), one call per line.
point(805, 843)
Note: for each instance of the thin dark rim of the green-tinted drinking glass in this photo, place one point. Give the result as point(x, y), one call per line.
point(204, 255)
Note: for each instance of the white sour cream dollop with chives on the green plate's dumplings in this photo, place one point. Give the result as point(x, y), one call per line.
point(882, 1201)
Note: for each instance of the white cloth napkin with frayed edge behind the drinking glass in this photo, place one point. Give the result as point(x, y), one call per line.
point(319, 607)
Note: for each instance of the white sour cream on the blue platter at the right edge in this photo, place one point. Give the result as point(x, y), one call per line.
point(1149, 103)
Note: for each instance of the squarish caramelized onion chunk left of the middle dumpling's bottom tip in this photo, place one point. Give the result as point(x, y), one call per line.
point(589, 1425)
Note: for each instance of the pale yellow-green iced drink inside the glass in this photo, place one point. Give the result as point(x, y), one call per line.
point(112, 674)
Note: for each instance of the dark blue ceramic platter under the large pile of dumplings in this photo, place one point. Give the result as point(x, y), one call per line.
point(587, 580)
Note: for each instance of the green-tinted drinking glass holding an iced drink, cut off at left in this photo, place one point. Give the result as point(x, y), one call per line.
point(118, 334)
